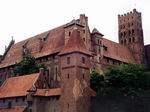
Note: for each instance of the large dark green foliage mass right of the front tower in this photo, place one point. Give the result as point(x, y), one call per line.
point(127, 80)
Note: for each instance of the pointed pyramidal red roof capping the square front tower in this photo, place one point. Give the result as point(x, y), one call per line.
point(75, 44)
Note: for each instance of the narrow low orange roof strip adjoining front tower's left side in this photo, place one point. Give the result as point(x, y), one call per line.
point(48, 92)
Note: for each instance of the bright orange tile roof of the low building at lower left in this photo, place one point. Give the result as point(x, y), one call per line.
point(18, 86)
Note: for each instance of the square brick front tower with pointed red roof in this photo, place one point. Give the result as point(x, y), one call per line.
point(75, 75)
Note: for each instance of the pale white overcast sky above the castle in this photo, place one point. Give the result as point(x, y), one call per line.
point(26, 18)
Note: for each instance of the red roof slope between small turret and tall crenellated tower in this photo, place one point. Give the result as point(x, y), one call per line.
point(117, 51)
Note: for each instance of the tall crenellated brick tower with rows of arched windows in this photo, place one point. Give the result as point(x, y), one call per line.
point(130, 34)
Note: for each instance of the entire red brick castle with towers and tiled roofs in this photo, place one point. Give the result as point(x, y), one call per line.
point(69, 52)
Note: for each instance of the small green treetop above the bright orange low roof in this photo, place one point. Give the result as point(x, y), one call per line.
point(27, 65)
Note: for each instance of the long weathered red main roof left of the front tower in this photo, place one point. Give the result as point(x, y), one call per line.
point(52, 42)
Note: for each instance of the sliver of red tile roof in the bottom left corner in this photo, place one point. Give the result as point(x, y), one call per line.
point(13, 109)
